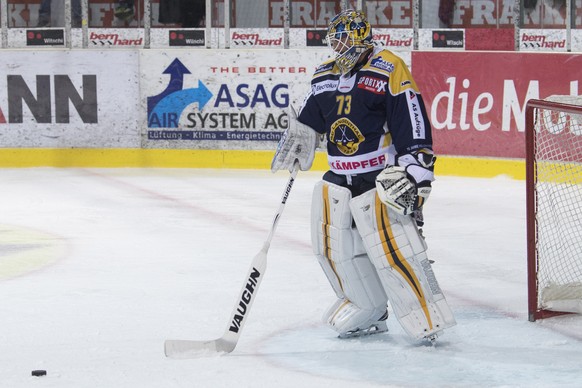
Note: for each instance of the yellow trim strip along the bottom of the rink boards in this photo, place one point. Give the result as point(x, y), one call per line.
point(243, 159)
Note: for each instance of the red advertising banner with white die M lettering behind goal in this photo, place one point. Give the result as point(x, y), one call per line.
point(476, 100)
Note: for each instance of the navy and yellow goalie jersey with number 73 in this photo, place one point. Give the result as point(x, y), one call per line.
point(368, 117)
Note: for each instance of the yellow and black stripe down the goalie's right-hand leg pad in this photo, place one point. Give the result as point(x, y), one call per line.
point(395, 258)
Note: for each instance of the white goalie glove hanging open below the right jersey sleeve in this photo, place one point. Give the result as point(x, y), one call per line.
point(406, 186)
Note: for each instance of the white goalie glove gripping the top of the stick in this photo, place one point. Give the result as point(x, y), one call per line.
point(297, 143)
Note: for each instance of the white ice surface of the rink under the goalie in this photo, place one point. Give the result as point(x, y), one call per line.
point(99, 266)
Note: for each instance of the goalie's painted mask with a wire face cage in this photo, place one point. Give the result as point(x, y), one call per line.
point(349, 35)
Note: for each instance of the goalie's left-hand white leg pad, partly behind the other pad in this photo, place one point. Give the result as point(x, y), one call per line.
point(339, 250)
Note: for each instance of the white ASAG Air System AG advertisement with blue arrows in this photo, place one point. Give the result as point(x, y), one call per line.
point(235, 99)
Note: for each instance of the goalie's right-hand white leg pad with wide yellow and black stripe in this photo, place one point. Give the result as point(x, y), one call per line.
point(398, 252)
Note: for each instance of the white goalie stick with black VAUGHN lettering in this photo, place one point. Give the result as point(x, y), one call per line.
point(190, 348)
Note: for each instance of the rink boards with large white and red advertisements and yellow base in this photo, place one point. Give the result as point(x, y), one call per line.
point(228, 108)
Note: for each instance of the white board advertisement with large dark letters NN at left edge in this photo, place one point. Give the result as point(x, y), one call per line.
point(69, 98)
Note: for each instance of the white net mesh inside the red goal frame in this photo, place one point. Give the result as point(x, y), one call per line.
point(558, 193)
